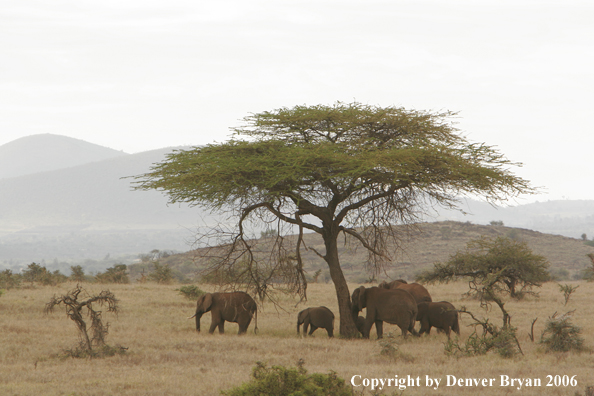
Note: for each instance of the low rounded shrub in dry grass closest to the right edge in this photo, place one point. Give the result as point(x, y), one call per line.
point(560, 335)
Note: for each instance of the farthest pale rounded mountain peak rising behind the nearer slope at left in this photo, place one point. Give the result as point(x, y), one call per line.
point(46, 152)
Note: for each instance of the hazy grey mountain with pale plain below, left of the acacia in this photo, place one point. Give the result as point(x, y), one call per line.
point(89, 212)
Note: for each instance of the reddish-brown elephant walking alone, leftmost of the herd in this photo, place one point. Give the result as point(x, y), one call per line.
point(236, 307)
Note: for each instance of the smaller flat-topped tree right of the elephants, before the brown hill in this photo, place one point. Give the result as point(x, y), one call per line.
point(493, 267)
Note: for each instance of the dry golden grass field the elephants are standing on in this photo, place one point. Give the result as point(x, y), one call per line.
point(166, 356)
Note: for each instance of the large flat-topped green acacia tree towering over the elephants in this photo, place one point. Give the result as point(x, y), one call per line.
point(345, 169)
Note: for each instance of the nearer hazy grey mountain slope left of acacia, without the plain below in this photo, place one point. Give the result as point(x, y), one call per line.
point(96, 195)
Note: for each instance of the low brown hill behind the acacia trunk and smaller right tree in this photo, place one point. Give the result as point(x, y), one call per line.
point(428, 244)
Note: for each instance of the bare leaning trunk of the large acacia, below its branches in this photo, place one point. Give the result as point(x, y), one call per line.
point(347, 324)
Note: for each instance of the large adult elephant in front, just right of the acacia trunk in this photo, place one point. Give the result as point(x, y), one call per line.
point(393, 306)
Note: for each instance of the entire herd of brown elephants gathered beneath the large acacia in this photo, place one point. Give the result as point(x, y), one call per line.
point(397, 302)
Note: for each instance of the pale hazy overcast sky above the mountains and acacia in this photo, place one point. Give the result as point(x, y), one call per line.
point(137, 75)
